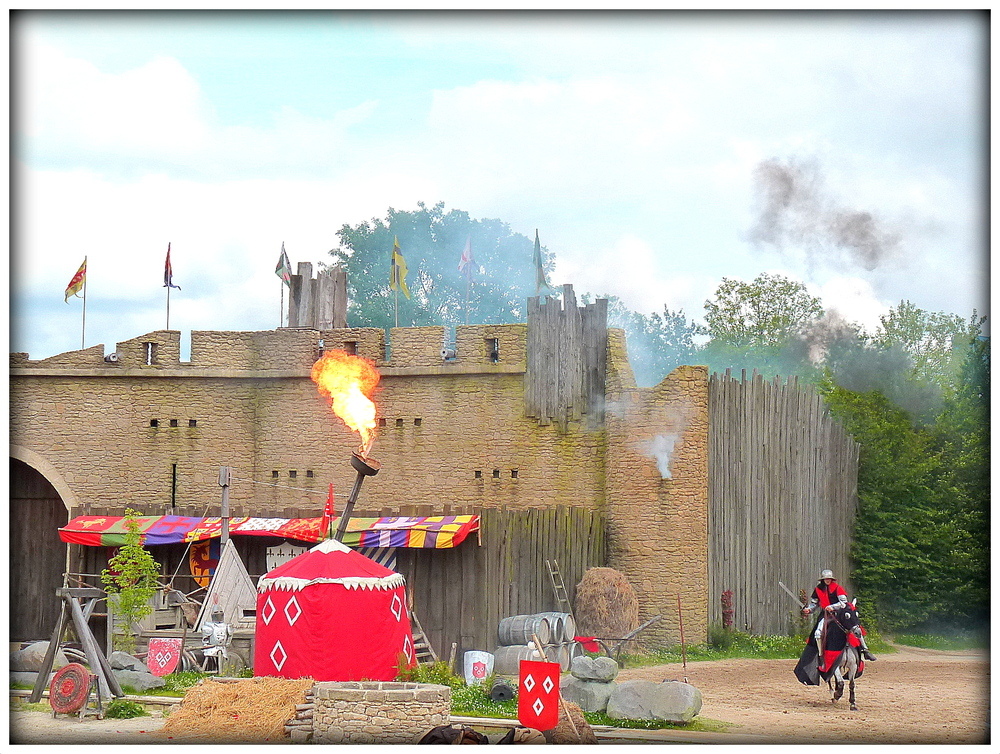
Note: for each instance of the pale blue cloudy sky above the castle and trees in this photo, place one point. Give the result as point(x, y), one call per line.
point(656, 153)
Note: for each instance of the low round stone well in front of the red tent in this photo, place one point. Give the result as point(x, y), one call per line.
point(377, 712)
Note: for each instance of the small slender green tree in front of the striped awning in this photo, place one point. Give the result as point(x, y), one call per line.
point(130, 581)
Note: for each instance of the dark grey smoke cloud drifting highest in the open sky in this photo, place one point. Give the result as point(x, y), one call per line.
point(794, 210)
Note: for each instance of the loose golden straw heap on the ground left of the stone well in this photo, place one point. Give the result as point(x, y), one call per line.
point(251, 710)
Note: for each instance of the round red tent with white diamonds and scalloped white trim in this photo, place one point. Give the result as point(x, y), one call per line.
point(332, 614)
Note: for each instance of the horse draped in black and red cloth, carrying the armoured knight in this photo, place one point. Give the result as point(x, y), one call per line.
point(842, 662)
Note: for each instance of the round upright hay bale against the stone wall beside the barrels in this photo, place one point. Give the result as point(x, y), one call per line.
point(606, 605)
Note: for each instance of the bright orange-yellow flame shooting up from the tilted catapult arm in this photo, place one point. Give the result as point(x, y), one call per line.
point(349, 382)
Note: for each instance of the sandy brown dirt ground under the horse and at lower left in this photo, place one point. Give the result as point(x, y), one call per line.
point(909, 697)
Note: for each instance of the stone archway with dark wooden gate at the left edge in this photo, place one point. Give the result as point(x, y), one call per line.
point(37, 555)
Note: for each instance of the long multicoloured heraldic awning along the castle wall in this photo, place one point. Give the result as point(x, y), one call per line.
point(386, 531)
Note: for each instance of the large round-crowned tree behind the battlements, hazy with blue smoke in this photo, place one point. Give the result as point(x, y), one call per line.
point(431, 241)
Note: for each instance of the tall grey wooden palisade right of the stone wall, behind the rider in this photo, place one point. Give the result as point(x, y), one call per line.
point(782, 497)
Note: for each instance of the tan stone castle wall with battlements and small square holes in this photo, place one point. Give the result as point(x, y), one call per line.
point(151, 432)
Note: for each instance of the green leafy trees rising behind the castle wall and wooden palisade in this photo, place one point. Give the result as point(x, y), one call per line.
point(914, 393)
